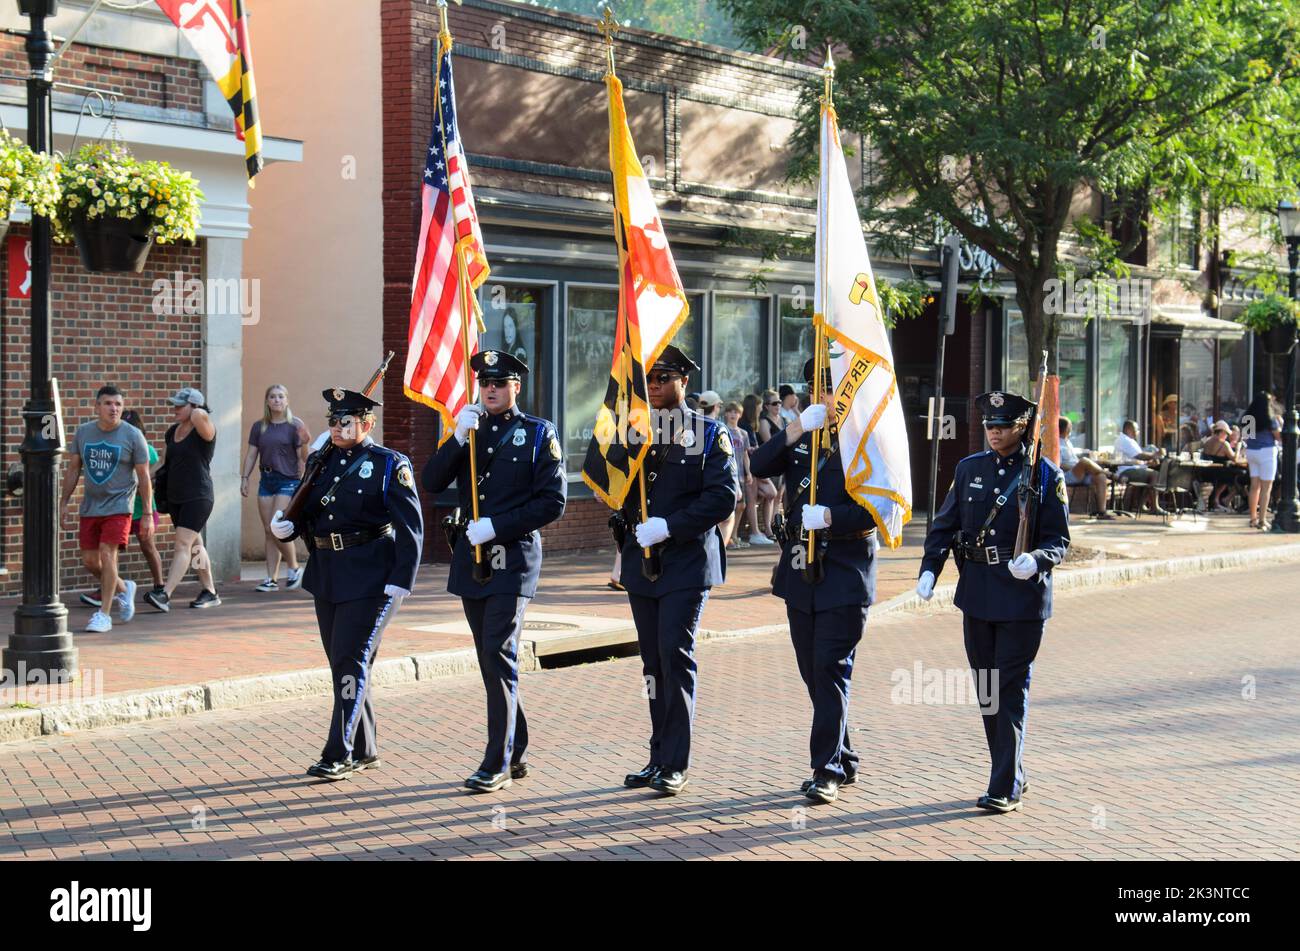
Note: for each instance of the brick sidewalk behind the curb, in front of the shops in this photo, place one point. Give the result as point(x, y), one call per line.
point(255, 633)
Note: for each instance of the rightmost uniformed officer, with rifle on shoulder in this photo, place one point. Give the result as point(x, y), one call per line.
point(1006, 600)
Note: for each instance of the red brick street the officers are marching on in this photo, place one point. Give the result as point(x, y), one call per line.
point(1163, 726)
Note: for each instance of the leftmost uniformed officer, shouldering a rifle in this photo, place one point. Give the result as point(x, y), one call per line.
point(363, 526)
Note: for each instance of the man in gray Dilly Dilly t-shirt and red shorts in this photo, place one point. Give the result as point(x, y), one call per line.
point(116, 462)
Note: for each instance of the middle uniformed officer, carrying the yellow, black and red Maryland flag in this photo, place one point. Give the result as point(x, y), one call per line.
point(690, 490)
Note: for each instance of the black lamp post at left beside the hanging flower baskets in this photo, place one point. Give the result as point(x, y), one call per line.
point(41, 649)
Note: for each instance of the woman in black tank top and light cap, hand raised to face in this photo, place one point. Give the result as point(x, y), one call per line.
point(188, 446)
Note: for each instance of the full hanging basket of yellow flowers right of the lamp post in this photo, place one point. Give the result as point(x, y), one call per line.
point(116, 209)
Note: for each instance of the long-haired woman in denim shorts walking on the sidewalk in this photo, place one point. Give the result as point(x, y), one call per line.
point(278, 448)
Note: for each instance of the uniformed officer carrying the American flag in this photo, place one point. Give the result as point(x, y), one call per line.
point(522, 488)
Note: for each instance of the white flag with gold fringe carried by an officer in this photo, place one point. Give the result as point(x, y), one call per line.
point(873, 433)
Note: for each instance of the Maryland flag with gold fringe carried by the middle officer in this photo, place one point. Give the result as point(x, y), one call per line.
point(652, 309)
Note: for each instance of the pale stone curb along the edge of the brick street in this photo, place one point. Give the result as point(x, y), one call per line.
point(118, 710)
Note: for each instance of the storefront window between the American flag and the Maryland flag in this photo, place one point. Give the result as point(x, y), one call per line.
point(588, 355)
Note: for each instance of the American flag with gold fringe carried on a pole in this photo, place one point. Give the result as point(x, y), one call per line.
point(436, 355)
